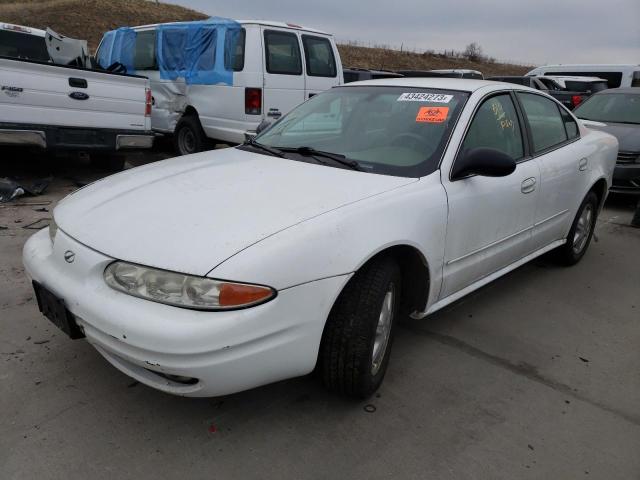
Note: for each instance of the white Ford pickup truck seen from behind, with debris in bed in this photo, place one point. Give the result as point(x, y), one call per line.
point(62, 107)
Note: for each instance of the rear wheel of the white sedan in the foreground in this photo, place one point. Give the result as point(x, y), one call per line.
point(580, 233)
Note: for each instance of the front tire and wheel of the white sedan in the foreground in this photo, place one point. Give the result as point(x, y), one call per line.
point(354, 353)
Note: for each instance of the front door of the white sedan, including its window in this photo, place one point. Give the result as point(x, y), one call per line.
point(490, 218)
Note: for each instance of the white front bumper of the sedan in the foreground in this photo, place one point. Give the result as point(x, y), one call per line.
point(180, 351)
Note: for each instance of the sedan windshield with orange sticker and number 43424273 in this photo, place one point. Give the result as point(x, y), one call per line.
point(397, 131)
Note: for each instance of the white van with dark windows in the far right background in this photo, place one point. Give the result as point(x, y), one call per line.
point(616, 75)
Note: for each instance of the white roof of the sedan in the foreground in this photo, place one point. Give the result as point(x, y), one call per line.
point(462, 84)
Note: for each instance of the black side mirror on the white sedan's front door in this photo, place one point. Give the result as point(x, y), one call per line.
point(486, 162)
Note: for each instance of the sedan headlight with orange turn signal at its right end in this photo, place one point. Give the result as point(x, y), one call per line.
point(182, 290)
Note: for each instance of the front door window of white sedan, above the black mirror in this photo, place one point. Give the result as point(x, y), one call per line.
point(495, 125)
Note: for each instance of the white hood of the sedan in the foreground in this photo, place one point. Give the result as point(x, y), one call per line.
point(189, 214)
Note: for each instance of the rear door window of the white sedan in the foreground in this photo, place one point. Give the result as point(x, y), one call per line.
point(547, 126)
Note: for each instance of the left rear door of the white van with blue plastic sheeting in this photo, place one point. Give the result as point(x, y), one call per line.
point(284, 84)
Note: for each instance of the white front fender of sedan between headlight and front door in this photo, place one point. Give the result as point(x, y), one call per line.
point(340, 241)
